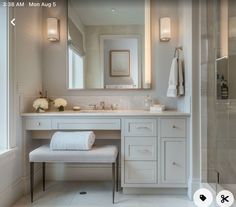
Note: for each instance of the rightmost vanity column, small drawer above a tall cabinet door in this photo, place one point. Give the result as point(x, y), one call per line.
point(173, 151)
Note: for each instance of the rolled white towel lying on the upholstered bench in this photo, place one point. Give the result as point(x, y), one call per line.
point(83, 140)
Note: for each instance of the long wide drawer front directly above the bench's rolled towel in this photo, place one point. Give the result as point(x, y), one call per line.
point(87, 124)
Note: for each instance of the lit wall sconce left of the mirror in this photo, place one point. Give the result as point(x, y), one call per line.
point(53, 29)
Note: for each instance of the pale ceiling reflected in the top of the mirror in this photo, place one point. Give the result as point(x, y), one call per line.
point(99, 12)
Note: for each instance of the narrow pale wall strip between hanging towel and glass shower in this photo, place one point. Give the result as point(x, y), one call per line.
point(189, 35)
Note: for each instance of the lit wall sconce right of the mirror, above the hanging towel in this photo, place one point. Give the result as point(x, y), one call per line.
point(165, 29)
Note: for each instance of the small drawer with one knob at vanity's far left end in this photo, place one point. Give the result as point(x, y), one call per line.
point(38, 124)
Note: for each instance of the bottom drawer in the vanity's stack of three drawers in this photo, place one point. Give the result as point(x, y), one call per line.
point(140, 172)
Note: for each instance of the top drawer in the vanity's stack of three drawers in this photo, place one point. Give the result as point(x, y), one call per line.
point(140, 127)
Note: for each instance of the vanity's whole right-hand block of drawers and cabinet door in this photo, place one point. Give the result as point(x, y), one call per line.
point(155, 152)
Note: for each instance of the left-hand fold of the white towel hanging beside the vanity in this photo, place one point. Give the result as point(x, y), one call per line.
point(173, 79)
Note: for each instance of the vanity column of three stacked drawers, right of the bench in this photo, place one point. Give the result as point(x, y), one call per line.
point(140, 147)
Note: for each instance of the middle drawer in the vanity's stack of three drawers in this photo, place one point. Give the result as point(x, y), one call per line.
point(140, 148)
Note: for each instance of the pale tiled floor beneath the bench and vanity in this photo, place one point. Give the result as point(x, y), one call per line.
point(63, 194)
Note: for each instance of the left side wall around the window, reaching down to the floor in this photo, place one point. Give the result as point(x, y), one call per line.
point(27, 83)
